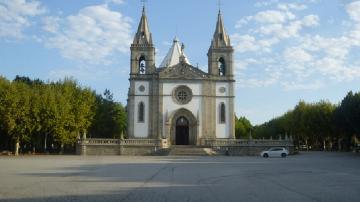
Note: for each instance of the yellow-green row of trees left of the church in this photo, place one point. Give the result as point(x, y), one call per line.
point(35, 115)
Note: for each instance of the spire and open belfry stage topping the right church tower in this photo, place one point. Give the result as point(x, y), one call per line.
point(220, 54)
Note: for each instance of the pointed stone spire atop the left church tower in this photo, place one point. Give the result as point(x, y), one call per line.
point(143, 34)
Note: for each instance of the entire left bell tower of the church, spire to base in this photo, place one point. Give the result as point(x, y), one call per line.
point(141, 103)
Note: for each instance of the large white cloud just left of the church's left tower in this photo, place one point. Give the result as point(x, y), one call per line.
point(92, 35)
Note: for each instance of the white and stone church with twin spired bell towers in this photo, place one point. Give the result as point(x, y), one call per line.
point(175, 100)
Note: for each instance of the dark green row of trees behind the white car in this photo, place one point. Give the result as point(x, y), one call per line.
point(320, 125)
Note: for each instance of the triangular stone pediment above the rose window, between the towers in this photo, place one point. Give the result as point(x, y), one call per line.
point(182, 70)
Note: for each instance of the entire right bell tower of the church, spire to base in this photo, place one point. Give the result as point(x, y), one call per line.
point(221, 71)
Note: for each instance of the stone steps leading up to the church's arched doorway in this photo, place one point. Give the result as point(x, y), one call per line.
point(190, 150)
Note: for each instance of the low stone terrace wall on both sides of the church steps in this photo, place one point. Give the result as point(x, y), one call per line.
point(143, 147)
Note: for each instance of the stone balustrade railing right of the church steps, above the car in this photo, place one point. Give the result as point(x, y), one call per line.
point(246, 142)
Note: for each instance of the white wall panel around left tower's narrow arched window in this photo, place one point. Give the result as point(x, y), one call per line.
point(141, 129)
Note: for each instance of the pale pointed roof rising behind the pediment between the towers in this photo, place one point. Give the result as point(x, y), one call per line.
point(173, 56)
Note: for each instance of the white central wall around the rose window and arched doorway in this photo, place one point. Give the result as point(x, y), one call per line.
point(170, 105)
